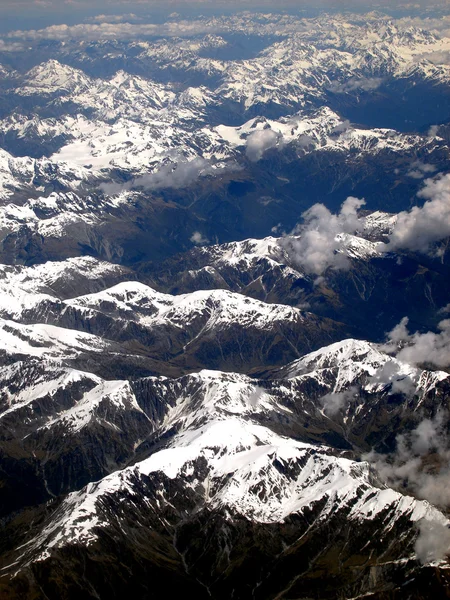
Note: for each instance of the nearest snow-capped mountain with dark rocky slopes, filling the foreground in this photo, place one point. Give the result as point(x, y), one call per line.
point(234, 519)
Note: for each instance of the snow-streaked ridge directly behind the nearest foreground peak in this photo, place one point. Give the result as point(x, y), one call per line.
point(192, 401)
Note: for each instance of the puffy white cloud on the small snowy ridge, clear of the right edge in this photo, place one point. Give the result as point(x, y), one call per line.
point(319, 245)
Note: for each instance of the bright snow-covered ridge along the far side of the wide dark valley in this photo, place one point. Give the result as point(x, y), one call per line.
point(140, 145)
